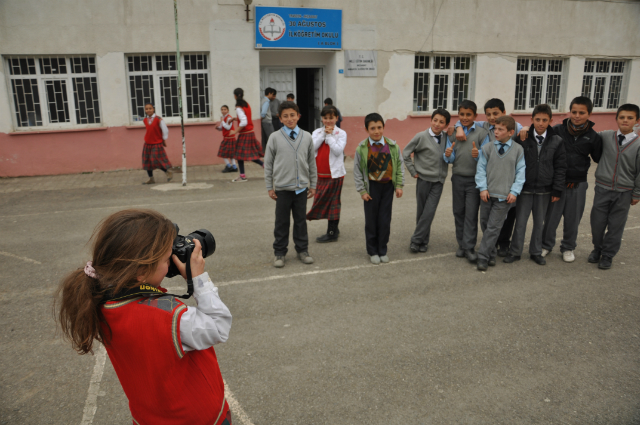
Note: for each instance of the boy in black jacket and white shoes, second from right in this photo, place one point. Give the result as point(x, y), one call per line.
point(580, 142)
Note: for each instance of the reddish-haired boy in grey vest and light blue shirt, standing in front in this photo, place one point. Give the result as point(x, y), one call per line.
point(500, 176)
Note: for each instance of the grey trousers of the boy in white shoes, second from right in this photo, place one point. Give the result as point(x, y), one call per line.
point(571, 207)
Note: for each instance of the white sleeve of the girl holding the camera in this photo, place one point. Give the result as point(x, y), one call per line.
point(207, 324)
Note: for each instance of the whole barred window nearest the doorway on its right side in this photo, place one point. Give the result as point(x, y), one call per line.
point(441, 81)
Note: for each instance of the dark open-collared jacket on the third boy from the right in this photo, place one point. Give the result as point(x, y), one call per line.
point(545, 172)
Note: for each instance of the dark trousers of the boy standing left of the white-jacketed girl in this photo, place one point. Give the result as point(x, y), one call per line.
point(289, 204)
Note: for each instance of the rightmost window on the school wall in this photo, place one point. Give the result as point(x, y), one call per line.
point(602, 82)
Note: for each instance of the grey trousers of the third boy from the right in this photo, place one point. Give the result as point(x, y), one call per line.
point(529, 204)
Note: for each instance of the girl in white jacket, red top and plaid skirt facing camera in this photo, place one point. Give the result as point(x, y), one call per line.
point(329, 142)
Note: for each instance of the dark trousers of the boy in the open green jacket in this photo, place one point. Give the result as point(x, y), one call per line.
point(377, 217)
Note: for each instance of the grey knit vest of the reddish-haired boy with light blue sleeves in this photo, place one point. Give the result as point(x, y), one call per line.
point(501, 169)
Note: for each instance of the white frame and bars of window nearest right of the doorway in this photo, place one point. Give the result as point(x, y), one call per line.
point(450, 72)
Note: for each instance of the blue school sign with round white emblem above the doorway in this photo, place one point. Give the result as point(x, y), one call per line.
point(298, 28)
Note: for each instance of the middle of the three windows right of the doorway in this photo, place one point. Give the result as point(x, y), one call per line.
point(539, 80)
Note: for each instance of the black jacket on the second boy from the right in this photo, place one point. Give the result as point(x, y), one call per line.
point(578, 150)
